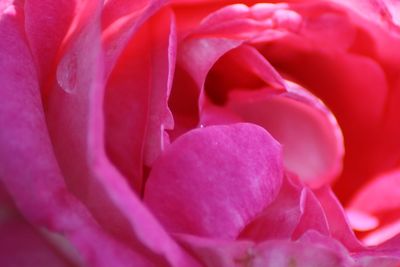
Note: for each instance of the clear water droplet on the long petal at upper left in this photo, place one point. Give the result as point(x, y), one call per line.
point(67, 72)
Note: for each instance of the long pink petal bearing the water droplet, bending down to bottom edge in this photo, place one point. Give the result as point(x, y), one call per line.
point(75, 119)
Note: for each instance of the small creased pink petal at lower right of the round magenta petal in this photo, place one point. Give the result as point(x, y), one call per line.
point(295, 211)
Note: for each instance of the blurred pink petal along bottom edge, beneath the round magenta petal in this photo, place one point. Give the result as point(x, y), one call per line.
point(312, 250)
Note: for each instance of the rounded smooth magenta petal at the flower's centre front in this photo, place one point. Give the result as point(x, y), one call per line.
point(216, 179)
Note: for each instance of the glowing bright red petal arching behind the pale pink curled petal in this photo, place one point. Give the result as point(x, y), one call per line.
point(338, 79)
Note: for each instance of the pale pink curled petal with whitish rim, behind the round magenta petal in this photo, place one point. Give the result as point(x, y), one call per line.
point(313, 144)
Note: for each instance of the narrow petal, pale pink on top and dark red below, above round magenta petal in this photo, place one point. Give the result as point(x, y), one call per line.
point(195, 59)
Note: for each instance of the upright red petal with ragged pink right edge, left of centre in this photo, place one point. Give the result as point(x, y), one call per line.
point(136, 99)
